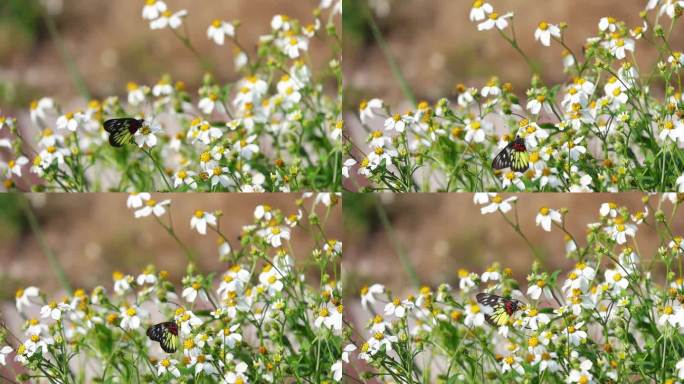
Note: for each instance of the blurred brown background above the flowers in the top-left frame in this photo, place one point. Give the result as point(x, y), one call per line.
point(111, 44)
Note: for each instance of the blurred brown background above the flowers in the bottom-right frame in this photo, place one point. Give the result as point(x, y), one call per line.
point(444, 232)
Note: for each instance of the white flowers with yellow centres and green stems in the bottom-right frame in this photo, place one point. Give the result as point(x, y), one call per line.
point(572, 329)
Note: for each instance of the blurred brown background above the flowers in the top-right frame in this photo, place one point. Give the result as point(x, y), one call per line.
point(437, 46)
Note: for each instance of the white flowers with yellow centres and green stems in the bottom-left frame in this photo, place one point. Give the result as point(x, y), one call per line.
point(250, 309)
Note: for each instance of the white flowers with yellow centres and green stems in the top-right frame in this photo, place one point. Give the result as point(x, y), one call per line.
point(607, 104)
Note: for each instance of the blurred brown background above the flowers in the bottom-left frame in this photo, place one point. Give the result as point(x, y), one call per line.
point(94, 235)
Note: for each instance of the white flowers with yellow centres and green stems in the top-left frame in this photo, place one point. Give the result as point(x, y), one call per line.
point(264, 132)
